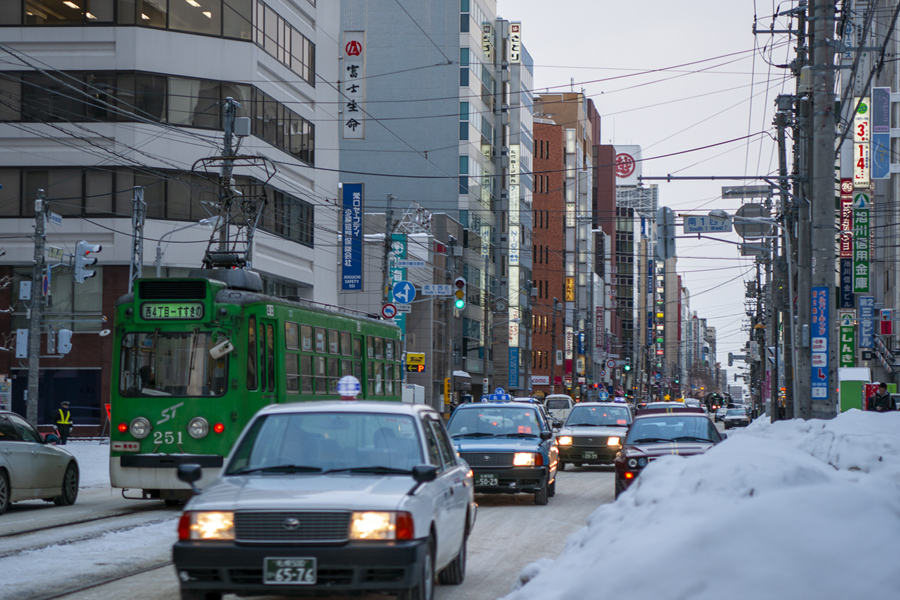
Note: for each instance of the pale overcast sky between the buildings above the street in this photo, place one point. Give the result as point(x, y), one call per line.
point(711, 82)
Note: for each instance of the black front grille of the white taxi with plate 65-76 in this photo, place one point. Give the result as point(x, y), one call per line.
point(291, 526)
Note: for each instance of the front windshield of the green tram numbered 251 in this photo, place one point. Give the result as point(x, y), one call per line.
point(170, 363)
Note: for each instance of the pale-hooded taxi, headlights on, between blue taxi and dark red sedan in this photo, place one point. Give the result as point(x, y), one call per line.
point(592, 434)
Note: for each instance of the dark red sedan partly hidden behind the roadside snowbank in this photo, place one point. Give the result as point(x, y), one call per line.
point(662, 432)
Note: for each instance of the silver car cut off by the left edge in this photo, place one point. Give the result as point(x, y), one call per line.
point(31, 468)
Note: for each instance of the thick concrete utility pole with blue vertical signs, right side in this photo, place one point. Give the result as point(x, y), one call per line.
point(822, 403)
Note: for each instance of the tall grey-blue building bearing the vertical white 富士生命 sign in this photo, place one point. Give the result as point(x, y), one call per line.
point(437, 110)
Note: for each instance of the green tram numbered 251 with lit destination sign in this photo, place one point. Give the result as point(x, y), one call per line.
point(196, 357)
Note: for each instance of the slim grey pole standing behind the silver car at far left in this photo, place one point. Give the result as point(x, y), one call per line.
point(35, 324)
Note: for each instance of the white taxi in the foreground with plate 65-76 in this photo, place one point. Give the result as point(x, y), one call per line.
point(336, 497)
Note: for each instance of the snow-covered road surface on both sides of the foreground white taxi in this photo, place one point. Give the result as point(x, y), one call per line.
point(511, 532)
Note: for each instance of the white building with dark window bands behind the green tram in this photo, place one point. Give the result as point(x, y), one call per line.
point(97, 100)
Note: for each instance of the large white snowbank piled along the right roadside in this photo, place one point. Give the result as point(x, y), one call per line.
point(797, 509)
